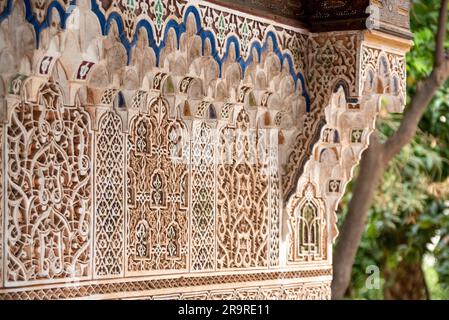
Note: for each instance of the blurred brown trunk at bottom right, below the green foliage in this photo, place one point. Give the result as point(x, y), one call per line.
point(406, 282)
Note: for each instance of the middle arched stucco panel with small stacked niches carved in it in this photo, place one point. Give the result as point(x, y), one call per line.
point(158, 192)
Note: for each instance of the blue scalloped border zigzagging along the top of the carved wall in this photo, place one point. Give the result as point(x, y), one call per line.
point(179, 29)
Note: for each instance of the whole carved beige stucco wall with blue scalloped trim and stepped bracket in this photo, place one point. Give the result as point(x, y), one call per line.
point(174, 149)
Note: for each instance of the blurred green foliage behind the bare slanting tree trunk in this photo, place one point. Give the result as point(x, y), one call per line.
point(408, 220)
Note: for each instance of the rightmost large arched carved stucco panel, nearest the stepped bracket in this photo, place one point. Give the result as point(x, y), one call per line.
point(242, 204)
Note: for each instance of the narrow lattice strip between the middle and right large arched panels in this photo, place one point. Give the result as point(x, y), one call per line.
point(203, 199)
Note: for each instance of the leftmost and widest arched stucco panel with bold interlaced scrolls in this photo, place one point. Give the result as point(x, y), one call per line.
point(49, 190)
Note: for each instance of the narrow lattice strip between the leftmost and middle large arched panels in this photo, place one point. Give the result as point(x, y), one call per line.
point(109, 224)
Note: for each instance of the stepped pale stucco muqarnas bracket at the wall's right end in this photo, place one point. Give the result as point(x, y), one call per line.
point(350, 118)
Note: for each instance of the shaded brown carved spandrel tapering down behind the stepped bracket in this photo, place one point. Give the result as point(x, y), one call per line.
point(332, 58)
